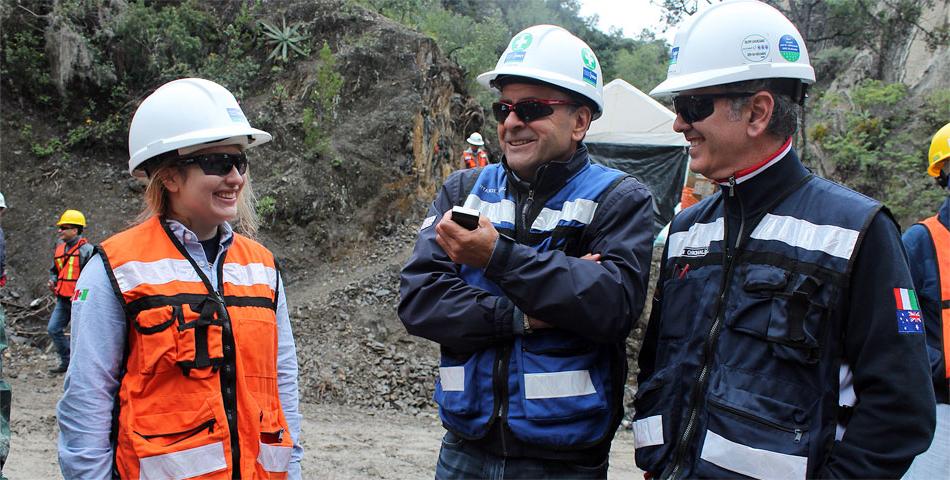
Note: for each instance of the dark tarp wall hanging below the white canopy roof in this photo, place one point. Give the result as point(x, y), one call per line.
point(661, 168)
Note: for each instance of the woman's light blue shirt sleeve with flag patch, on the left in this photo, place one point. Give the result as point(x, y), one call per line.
point(97, 342)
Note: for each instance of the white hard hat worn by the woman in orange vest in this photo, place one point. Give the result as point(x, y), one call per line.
point(188, 114)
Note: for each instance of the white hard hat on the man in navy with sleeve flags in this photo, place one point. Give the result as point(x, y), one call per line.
point(734, 41)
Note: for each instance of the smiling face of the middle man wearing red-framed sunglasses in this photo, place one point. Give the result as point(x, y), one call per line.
point(527, 146)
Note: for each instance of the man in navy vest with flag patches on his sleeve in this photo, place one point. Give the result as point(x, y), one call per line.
point(785, 340)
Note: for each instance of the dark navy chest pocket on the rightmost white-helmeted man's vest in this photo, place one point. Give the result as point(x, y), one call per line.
point(786, 309)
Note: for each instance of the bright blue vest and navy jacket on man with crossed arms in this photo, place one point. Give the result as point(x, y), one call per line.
point(552, 393)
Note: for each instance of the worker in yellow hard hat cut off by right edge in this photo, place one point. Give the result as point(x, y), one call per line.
point(928, 252)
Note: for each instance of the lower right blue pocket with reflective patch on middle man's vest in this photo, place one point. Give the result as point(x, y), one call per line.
point(561, 377)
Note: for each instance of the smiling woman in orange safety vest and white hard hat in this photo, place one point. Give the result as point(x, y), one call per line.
point(181, 322)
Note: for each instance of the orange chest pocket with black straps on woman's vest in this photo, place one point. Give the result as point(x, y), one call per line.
point(188, 337)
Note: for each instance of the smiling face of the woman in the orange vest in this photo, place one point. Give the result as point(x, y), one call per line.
point(202, 202)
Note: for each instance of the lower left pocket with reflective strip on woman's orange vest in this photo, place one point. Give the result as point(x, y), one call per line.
point(179, 444)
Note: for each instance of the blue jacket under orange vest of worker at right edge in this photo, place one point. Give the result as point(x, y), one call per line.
point(922, 260)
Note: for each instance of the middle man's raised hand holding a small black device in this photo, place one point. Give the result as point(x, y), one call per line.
point(466, 247)
